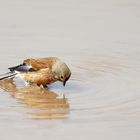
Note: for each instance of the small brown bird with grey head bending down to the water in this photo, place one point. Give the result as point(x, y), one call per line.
point(42, 71)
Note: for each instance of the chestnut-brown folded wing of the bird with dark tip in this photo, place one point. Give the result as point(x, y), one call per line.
point(34, 64)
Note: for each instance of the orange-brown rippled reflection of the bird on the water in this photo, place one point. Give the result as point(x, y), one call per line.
point(41, 103)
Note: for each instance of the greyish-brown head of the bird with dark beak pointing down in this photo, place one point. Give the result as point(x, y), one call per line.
point(61, 72)
